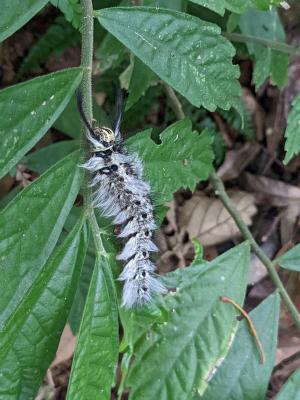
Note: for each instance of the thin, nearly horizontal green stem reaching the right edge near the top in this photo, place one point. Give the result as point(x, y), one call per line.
point(240, 38)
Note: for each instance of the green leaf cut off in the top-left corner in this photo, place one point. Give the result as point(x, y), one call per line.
point(15, 13)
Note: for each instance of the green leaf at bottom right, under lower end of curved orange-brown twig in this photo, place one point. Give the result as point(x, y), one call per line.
point(242, 375)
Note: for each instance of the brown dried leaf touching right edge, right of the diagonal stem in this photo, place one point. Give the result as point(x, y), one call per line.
point(273, 192)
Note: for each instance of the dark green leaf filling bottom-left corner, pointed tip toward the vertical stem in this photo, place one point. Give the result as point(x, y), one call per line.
point(31, 336)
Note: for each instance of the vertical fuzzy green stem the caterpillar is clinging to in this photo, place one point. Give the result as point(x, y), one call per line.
point(87, 104)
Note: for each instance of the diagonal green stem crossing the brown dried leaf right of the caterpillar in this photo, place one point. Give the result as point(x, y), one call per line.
point(221, 193)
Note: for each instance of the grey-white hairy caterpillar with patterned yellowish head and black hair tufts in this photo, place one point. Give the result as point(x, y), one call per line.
point(119, 191)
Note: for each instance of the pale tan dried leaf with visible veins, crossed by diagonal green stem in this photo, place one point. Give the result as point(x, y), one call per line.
point(207, 219)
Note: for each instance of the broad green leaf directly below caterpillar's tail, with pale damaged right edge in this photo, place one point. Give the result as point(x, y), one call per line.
point(174, 359)
